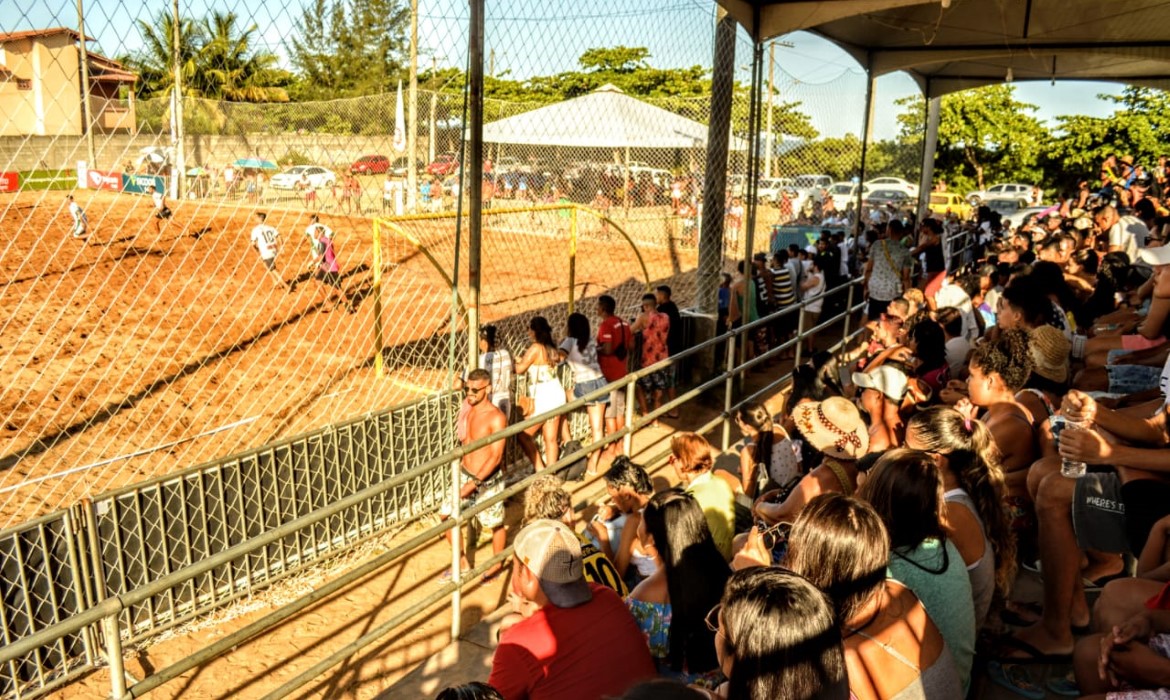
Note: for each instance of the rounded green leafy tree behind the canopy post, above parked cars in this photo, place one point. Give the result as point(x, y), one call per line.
point(985, 136)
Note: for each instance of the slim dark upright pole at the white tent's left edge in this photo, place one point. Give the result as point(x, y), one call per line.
point(473, 179)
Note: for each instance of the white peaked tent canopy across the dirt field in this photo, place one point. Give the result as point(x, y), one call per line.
point(605, 119)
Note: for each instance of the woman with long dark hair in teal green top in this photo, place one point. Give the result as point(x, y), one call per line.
point(906, 491)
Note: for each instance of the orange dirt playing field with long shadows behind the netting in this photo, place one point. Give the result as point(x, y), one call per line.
point(136, 339)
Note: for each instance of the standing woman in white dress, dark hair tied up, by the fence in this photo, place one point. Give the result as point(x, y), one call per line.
point(545, 393)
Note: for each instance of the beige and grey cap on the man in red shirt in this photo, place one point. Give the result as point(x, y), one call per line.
point(553, 553)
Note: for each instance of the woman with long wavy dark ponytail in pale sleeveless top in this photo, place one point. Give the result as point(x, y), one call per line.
point(974, 495)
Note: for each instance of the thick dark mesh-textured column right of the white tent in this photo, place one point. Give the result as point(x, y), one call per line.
point(719, 135)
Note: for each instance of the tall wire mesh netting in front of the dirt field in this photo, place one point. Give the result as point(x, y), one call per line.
point(147, 333)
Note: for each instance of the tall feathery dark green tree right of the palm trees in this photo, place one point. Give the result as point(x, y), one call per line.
point(347, 50)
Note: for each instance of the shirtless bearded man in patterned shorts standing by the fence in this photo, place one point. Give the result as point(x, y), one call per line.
point(479, 418)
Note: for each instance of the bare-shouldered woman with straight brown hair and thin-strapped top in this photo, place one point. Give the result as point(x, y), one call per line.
point(892, 648)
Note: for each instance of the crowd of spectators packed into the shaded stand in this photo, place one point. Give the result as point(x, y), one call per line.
point(1007, 415)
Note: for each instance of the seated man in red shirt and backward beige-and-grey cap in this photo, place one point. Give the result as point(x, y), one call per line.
point(581, 643)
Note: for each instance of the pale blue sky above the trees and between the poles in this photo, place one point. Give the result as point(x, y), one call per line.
point(535, 38)
